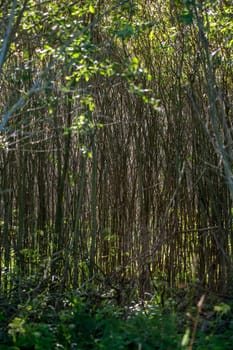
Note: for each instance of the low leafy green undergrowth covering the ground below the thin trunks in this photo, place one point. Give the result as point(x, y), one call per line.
point(82, 324)
